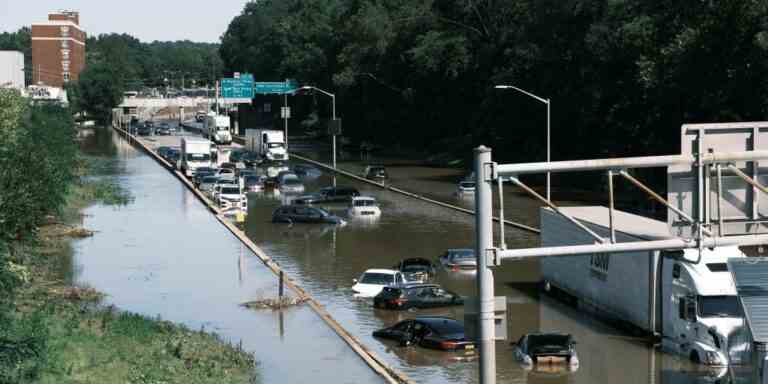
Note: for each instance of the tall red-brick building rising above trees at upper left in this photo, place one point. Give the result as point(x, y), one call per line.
point(58, 49)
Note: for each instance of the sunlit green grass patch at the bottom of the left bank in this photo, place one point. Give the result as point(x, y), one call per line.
point(105, 346)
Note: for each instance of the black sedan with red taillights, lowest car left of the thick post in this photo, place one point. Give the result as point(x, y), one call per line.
point(434, 332)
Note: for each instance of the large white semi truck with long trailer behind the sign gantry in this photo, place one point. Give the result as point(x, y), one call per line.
point(687, 298)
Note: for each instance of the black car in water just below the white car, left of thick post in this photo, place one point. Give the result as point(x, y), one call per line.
point(408, 296)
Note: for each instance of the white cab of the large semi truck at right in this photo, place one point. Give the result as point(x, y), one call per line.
point(702, 310)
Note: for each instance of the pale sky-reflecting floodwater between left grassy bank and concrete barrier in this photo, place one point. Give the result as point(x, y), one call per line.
point(164, 254)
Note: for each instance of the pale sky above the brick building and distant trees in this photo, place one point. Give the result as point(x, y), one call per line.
point(147, 20)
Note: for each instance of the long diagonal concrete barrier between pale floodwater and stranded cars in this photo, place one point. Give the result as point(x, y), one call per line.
point(388, 373)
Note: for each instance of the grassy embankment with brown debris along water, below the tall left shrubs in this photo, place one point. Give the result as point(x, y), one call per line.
point(89, 343)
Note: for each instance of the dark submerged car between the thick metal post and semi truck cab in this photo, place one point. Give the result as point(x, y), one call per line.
point(537, 348)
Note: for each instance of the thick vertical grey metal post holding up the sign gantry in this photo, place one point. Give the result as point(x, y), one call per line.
point(484, 241)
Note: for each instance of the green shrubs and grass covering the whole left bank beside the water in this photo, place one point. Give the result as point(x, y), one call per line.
point(51, 332)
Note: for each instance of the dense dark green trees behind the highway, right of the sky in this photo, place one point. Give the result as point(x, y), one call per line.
point(622, 76)
